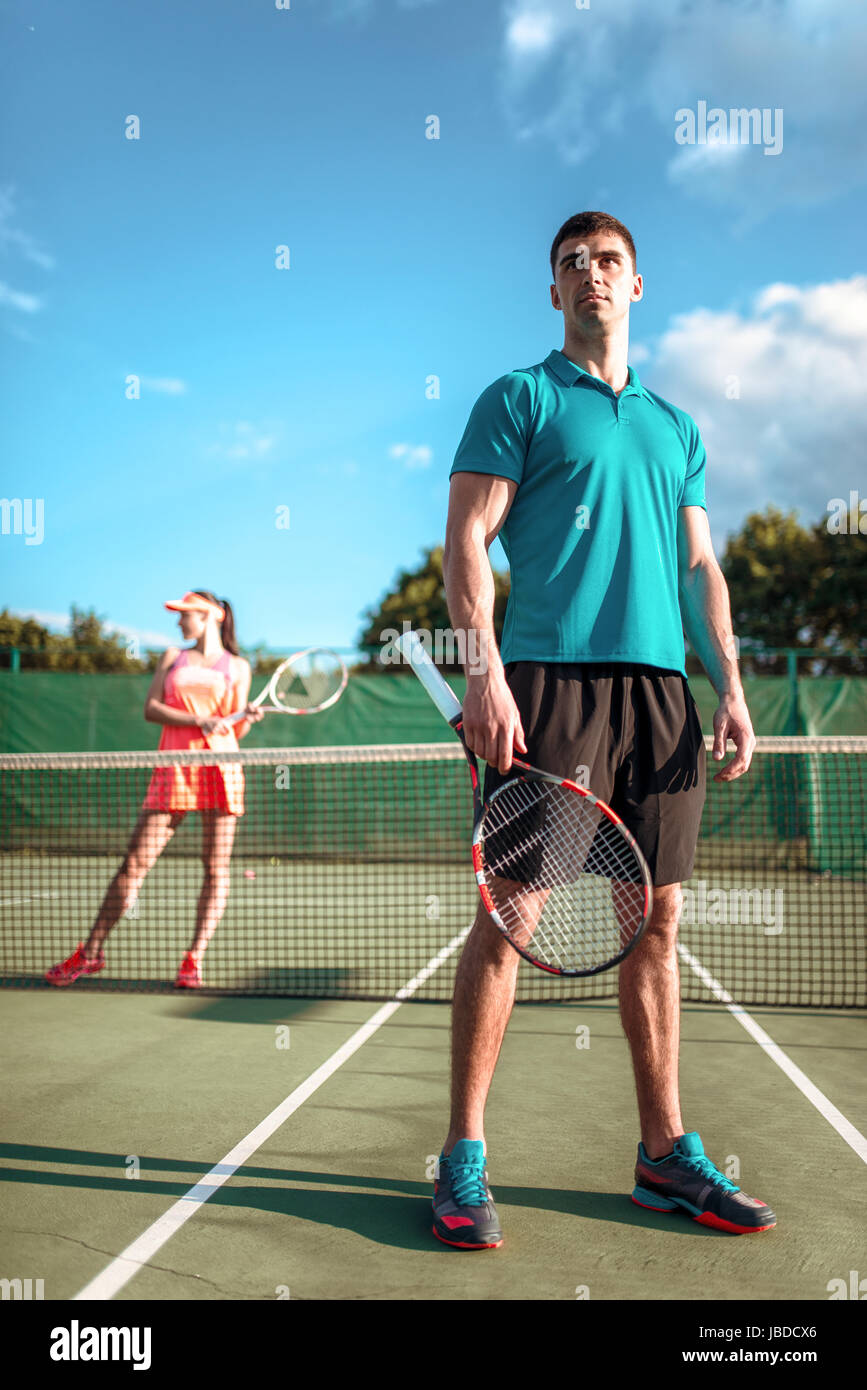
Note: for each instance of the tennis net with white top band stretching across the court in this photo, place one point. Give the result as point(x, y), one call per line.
point(349, 875)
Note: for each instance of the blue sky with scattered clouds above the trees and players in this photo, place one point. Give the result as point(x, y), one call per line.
point(409, 258)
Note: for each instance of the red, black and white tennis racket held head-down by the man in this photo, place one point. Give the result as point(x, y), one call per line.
point(559, 874)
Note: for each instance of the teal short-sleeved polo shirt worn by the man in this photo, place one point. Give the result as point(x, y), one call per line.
point(591, 536)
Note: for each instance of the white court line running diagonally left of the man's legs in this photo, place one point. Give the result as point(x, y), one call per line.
point(137, 1256)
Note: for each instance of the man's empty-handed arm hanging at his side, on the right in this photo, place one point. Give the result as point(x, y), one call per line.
point(707, 615)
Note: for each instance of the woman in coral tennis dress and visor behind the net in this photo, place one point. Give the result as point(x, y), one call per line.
point(194, 690)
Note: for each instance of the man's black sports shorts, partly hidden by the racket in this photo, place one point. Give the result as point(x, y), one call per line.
point(629, 733)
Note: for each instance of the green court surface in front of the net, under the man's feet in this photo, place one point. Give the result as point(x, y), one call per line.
point(122, 1106)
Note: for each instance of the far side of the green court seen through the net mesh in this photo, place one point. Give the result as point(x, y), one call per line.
point(279, 932)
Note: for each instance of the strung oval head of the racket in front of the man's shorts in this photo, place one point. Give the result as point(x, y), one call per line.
point(563, 878)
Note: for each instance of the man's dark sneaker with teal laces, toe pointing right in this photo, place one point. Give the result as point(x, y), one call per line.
point(688, 1179)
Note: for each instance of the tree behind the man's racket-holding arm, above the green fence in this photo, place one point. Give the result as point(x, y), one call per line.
point(419, 597)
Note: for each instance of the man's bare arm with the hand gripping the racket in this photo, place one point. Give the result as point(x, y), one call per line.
point(479, 505)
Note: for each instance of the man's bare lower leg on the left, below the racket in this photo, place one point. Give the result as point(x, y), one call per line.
point(484, 997)
